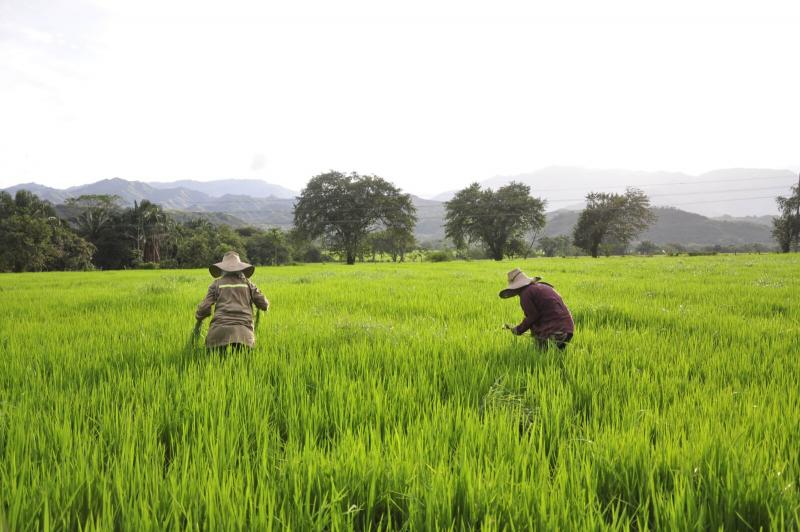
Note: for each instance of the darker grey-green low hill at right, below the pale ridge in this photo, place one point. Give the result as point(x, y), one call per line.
point(674, 225)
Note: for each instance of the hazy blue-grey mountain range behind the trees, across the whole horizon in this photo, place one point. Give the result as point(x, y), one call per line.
point(742, 199)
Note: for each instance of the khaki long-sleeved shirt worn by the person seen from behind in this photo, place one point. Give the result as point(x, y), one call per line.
point(233, 297)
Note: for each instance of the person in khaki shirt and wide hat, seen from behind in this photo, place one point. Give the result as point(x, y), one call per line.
point(232, 295)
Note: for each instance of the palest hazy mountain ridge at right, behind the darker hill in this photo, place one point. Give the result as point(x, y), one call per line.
point(737, 192)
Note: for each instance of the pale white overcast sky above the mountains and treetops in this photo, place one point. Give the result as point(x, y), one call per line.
point(430, 95)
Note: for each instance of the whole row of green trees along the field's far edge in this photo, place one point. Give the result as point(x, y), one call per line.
point(337, 216)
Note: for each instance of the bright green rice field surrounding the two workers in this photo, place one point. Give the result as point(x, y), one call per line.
point(386, 396)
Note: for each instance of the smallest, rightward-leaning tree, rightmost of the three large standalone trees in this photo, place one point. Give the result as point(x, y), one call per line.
point(612, 219)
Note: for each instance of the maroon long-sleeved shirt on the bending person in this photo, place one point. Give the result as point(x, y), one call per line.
point(545, 311)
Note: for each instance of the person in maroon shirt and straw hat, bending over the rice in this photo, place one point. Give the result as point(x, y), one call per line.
point(546, 315)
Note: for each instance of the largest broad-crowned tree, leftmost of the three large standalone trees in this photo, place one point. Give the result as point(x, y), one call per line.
point(343, 209)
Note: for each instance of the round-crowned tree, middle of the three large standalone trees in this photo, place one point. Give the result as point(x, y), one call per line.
point(496, 219)
